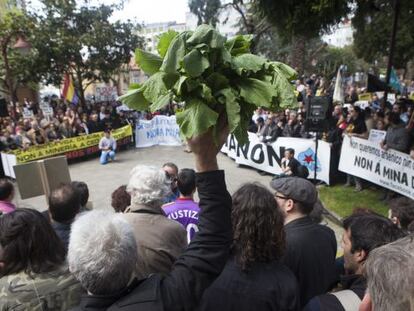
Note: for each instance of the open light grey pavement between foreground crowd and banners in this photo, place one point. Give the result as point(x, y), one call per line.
point(104, 179)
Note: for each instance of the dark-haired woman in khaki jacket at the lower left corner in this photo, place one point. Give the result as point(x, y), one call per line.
point(33, 272)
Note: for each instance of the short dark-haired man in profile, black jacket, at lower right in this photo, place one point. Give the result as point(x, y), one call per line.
point(363, 233)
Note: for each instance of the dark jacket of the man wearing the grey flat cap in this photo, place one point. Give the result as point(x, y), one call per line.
point(311, 251)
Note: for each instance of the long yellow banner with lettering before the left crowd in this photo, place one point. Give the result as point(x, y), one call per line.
point(74, 147)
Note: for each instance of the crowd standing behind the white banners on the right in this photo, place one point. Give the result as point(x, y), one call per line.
point(351, 117)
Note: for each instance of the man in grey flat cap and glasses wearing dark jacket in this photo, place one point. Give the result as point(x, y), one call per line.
point(310, 247)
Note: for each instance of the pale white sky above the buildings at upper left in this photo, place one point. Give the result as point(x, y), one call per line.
point(144, 11)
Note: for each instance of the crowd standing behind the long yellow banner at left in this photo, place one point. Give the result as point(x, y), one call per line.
point(26, 124)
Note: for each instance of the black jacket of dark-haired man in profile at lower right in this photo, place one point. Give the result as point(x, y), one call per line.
point(328, 302)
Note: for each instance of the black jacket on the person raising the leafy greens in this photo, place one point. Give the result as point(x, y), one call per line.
point(194, 271)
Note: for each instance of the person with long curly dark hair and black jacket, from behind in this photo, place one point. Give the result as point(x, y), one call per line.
point(254, 277)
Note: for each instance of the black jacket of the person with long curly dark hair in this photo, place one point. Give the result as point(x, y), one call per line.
point(265, 287)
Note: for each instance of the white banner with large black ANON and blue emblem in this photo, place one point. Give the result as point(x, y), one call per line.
point(268, 157)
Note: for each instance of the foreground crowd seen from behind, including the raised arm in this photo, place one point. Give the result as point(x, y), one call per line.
point(160, 250)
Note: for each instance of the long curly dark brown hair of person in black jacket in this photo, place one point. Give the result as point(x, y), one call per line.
point(257, 226)
